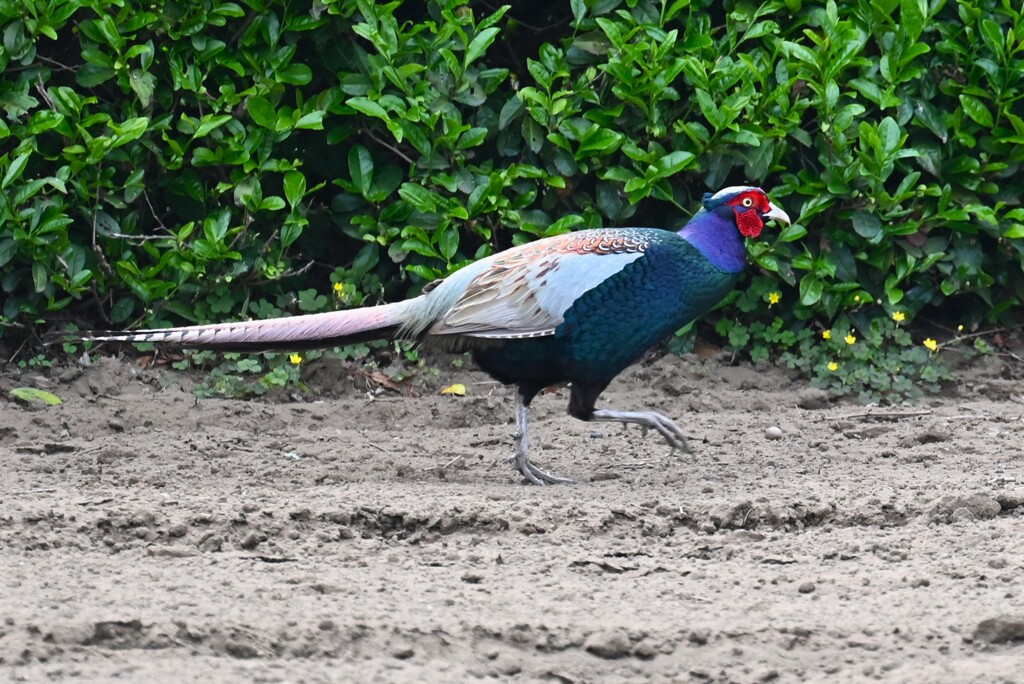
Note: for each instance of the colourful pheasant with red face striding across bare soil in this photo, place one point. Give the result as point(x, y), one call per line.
point(578, 308)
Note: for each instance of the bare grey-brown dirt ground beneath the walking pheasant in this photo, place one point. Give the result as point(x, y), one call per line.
point(361, 536)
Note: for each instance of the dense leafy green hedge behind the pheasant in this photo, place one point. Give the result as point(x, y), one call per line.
point(202, 160)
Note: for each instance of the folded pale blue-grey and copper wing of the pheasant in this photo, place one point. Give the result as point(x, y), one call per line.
point(526, 291)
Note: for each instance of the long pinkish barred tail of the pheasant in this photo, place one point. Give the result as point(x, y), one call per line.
point(290, 334)
